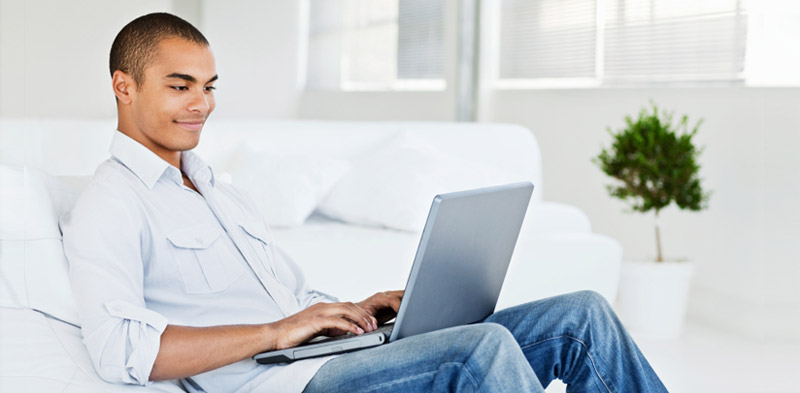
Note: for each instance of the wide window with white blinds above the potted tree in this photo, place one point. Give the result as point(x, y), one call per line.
point(621, 42)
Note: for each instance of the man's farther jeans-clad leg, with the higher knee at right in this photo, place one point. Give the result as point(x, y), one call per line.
point(579, 339)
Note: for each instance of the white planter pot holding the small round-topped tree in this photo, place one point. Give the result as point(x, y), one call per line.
point(652, 297)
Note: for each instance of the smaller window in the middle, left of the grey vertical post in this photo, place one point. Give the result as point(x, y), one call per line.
point(356, 45)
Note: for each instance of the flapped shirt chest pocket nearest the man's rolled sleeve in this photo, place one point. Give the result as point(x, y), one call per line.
point(206, 261)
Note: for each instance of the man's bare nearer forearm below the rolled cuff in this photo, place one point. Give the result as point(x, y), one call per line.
point(187, 351)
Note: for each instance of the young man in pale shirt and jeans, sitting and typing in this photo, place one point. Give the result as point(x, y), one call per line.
point(177, 276)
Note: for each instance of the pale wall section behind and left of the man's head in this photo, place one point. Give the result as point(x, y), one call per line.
point(54, 54)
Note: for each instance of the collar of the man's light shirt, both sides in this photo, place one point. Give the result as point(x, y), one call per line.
point(149, 167)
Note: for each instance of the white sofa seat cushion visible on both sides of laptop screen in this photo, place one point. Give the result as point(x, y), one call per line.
point(544, 263)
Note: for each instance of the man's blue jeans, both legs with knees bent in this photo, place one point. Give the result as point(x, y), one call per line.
point(575, 337)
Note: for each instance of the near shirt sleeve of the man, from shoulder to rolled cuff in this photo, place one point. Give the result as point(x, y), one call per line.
point(103, 242)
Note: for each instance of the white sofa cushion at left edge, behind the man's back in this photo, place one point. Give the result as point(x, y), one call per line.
point(32, 261)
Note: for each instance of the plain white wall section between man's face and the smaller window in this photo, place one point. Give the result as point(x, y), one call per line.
point(255, 44)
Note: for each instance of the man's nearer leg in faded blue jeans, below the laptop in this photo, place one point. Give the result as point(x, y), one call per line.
point(475, 358)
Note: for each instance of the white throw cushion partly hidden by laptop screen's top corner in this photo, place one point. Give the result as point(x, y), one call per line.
point(394, 185)
